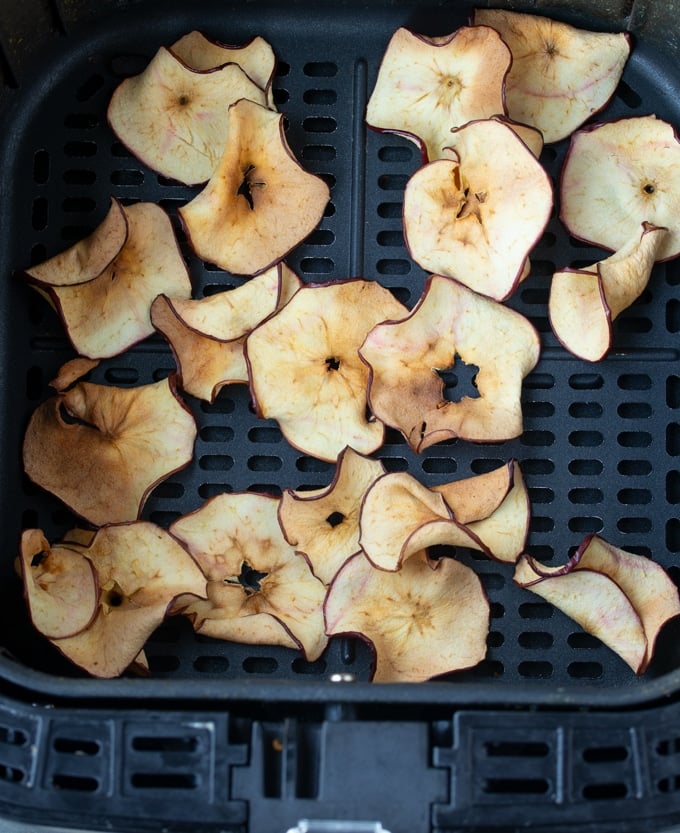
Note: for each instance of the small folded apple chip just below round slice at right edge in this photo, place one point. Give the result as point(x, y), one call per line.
point(584, 303)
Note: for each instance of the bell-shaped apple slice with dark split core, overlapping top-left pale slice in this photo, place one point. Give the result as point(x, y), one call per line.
point(260, 203)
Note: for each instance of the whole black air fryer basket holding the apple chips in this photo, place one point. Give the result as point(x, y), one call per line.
point(599, 454)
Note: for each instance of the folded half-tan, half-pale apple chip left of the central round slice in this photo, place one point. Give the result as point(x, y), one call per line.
point(208, 335)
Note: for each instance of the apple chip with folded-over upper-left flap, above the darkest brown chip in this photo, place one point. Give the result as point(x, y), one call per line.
point(103, 286)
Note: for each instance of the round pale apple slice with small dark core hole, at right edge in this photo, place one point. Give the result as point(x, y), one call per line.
point(618, 175)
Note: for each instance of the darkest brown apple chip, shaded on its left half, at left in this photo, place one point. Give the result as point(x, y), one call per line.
point(102, 449)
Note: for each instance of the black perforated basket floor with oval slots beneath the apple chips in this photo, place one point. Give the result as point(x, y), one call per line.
point(601, 442)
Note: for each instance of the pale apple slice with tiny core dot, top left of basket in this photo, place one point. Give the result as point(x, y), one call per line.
point(173, 118)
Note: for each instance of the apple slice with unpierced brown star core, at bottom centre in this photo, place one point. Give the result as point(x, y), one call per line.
point(429, 618)
